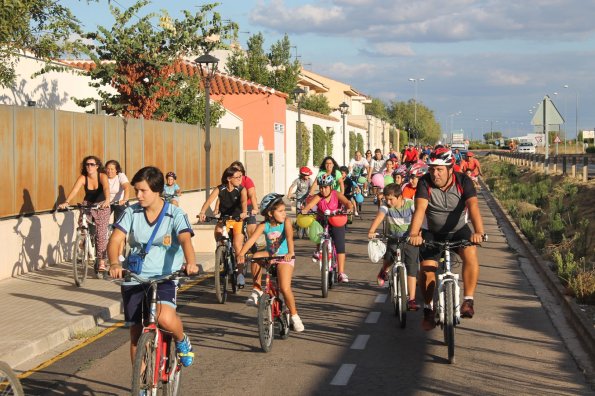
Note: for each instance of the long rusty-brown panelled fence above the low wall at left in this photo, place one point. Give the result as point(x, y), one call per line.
point(41, 152)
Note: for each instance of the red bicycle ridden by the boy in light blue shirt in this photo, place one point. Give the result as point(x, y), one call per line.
point(156, 365)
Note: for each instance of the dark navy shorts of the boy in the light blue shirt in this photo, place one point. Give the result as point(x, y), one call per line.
point(136, 300)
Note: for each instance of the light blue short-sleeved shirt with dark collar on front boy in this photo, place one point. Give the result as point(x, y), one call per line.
point(165, 255)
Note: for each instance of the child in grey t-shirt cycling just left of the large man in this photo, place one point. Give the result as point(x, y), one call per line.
point(399, 211)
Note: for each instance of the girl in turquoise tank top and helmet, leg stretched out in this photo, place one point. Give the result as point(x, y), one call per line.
point(278, 233)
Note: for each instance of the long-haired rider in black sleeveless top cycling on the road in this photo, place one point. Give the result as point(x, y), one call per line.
point(233, 201)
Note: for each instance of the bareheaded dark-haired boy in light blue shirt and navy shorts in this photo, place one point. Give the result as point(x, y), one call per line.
point(171, 245)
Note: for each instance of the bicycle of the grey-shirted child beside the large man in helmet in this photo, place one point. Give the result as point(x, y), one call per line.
point(397, 281)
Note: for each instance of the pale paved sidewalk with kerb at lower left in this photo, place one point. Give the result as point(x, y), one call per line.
point(44, 309)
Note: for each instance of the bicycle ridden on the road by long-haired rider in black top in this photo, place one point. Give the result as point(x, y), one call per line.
point(226, 270)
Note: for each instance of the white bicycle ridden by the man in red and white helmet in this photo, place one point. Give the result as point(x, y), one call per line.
point(447, 293)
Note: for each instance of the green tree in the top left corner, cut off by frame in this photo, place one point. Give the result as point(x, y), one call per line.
point(43, 27)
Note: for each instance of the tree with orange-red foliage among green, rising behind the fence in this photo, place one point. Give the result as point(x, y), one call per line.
point(139, 61)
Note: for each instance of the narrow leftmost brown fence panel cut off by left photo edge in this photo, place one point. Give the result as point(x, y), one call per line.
point(7, 162)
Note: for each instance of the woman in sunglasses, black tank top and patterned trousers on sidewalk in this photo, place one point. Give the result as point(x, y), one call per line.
point(95, 182)
